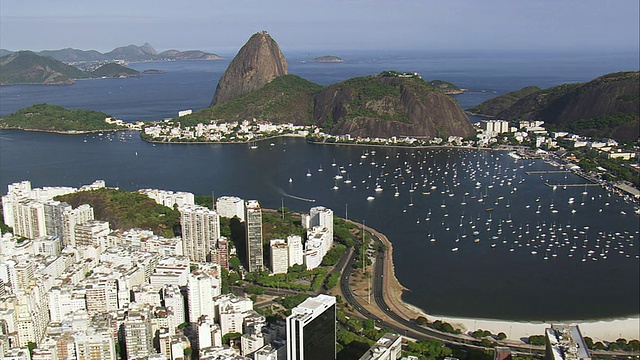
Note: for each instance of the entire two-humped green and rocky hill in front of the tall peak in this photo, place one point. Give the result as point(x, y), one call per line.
point(388, 104)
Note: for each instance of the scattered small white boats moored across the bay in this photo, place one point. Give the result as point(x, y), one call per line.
point(461, 199)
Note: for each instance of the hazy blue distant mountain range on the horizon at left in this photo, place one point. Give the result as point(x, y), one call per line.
point(145, 52)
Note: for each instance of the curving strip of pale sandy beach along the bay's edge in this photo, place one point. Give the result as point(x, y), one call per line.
point(597, 329)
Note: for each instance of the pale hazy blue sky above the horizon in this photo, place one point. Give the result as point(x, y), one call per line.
point(223, 26)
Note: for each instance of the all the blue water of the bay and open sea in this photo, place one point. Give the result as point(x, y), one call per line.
point(520, 260)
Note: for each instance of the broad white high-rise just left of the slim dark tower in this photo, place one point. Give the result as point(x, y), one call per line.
point(200, 231)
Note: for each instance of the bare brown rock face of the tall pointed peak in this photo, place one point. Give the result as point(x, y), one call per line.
point(257, 63)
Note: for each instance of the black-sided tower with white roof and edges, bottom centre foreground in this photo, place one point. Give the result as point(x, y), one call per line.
point(311, 329)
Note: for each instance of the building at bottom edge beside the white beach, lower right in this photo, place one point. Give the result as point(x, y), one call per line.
point(565, 342)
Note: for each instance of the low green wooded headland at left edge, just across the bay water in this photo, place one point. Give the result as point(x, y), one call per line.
point(56, 118)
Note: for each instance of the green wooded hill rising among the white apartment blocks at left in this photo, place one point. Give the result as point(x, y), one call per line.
point(127, 210)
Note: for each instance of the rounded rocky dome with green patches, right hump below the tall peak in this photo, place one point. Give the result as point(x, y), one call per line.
point(385, 106)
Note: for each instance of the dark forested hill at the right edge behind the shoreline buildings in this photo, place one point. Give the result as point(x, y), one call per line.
point(608, 106)
